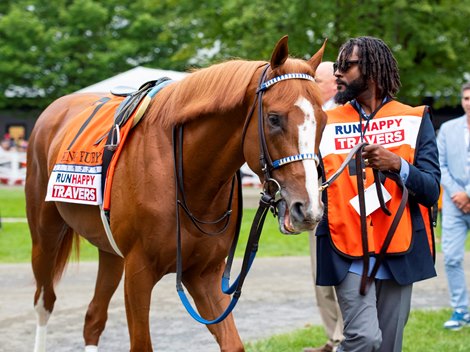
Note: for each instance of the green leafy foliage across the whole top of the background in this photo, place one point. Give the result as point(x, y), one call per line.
point(51, 48)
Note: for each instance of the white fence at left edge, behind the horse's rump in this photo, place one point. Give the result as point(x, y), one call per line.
point(12, 167)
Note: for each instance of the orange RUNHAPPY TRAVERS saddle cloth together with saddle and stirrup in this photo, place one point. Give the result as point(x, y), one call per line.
point(98, 131)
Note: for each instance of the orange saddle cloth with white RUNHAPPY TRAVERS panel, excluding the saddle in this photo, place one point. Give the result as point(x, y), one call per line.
point(76, 176)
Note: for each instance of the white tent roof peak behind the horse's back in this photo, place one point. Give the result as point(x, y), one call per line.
point(133, 78)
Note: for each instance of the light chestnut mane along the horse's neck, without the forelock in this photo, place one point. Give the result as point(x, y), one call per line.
point(210, 90)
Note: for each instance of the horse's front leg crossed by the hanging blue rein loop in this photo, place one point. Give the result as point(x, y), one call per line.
point(211, 302)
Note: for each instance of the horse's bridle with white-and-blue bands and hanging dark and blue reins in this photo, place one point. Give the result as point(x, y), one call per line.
point(266, 202)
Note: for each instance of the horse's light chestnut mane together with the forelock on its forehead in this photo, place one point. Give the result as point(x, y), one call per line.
point(218, 88)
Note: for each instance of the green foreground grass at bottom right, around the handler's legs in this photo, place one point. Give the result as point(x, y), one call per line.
point(423, 333)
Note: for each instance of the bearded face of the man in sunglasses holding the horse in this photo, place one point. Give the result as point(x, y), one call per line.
point(349, 79)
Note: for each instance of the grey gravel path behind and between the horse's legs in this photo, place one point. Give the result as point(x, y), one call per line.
point(277, 297)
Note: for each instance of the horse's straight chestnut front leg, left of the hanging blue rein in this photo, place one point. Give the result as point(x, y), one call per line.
point(139, 281)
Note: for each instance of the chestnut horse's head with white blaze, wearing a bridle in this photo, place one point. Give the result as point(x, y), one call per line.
point(289, 128)
